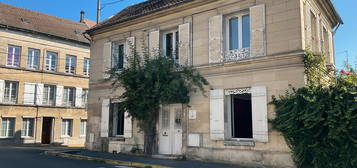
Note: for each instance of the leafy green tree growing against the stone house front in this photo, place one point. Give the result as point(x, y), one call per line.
point(150, 83)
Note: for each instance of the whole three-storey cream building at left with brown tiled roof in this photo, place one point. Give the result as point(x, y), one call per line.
point(44, 75)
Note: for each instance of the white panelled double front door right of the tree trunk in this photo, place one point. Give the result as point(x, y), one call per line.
point(170, 130)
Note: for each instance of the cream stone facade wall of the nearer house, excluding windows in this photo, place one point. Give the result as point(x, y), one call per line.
point(280, 32)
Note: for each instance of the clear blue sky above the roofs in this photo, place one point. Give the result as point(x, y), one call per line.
point(345, 37)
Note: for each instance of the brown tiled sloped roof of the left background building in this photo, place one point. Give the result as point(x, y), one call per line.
point(30, 21)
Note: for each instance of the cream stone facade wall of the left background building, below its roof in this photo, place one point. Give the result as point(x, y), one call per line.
point(21, 110)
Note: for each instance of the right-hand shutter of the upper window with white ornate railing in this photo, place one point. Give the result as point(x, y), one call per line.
point(257, 23)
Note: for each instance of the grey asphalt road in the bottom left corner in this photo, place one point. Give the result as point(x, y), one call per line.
point(23, 157)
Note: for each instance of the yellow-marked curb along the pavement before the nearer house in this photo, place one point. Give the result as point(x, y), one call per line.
point(101, 160)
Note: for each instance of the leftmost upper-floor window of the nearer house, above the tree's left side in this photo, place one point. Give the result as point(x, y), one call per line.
point(118, 55)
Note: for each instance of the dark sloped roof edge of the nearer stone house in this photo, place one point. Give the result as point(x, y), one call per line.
point(138, 10)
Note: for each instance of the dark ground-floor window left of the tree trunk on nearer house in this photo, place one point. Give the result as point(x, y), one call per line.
point(117, 120)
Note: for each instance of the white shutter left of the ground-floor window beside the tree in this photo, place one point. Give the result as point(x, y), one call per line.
point(104, 124)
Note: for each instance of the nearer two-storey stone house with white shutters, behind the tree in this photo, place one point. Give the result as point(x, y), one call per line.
point(248, 50)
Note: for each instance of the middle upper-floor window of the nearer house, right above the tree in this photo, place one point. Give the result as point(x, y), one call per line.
point(171, 44)
